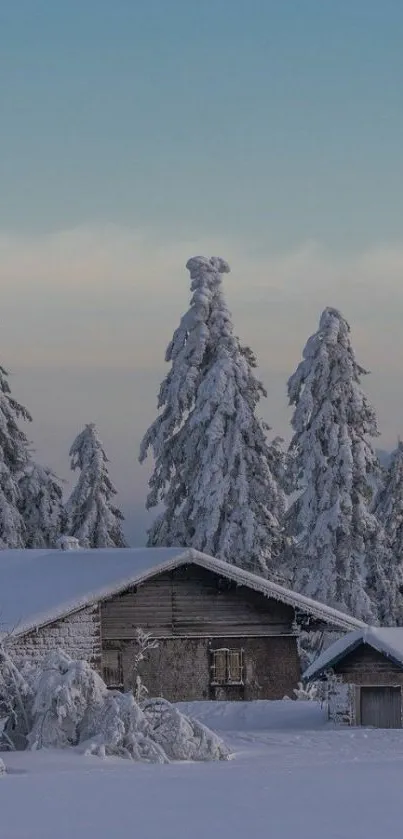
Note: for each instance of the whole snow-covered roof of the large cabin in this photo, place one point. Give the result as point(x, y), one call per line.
point(39, 587)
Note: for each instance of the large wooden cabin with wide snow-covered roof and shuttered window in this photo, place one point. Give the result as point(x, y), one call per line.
point(222, 633)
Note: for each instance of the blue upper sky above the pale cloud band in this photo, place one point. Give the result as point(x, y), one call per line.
point(274, 119)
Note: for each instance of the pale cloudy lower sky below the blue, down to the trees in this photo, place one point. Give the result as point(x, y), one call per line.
point(86, 315)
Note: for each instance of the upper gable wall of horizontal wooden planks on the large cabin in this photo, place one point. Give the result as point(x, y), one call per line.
point(192, 601)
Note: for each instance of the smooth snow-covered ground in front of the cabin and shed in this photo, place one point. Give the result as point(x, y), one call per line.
point(293, 776)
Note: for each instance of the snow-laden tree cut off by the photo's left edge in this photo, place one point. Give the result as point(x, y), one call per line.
point(14, 456)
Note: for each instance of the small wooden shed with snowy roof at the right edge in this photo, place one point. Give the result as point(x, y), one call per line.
point(370, 661)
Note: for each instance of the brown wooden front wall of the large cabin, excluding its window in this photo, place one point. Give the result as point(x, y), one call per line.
point(193, 612)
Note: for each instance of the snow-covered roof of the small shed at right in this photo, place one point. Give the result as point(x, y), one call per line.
point(388, 641)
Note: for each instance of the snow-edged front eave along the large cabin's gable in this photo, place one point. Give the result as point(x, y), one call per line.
point(239, 576)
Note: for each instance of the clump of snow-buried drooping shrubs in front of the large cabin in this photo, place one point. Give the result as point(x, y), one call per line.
point(73, 707)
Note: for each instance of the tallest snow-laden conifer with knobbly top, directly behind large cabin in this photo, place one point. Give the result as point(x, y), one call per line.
point(214, 469)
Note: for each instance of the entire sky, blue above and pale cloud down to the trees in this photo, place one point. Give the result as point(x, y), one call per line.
point(137, 134)
